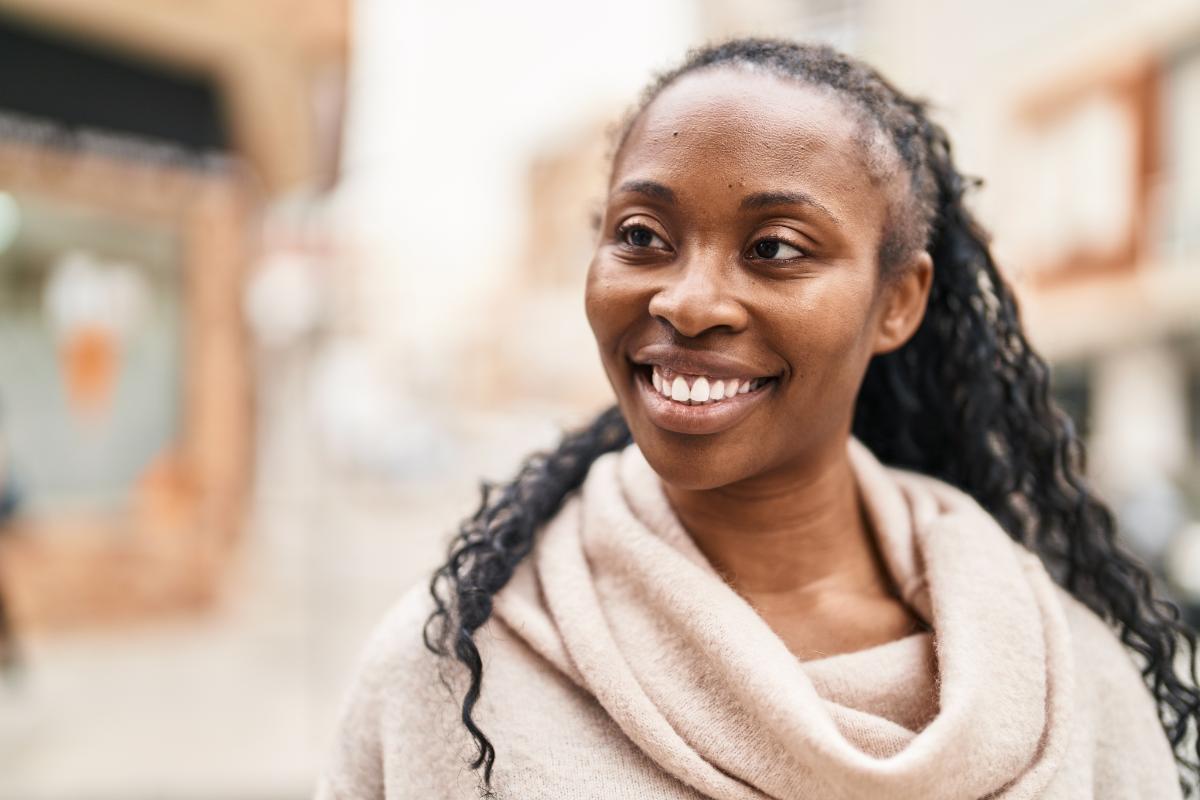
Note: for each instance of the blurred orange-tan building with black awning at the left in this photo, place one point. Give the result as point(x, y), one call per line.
point(140, 146)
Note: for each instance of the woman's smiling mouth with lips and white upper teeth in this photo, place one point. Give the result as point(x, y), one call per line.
point(698, 405)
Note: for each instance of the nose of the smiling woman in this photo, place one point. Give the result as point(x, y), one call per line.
point(698, 297)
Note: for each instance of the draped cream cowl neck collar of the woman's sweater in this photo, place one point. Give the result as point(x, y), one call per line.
point(621, 600)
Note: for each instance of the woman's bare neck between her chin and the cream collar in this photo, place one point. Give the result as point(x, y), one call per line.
point(795, 533)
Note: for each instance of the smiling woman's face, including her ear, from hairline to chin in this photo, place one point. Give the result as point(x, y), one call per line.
point(735, 292)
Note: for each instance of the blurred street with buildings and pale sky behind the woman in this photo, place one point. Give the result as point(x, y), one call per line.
point(281, 280)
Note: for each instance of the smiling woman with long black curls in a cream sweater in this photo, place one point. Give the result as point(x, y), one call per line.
point(742, 603)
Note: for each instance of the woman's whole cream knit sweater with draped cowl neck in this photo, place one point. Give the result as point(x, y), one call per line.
point(620, 665)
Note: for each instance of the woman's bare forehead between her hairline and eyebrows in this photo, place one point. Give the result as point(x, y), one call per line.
point(757, 133)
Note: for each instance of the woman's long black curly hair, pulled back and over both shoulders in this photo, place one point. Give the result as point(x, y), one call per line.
point(967, 400)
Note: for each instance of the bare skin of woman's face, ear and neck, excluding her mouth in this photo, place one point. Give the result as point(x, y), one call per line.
point(771, 500)
